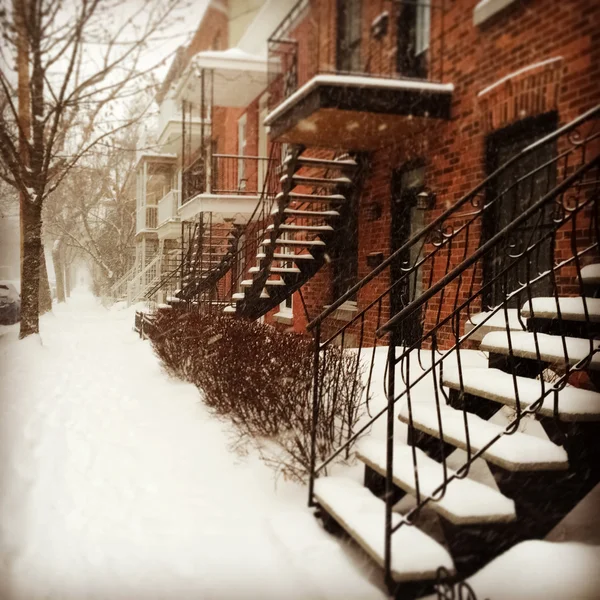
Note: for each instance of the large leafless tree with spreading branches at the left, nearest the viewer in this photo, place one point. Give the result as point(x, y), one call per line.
point(77, 61)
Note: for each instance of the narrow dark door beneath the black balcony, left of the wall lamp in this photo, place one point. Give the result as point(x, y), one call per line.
point(407, 220)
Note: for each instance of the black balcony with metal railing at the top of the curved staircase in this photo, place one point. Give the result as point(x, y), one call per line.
point(374, 83)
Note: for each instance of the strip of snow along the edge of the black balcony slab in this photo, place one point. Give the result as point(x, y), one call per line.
point(357, 81)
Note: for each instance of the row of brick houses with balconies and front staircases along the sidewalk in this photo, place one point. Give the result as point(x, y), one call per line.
point(419, 175)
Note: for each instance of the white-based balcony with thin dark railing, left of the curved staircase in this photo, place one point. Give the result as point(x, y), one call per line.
point(227, 185)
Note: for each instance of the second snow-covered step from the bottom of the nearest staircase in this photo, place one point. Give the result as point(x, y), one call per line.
point(465, 501)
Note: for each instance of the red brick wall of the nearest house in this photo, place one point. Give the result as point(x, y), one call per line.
point(473, 57)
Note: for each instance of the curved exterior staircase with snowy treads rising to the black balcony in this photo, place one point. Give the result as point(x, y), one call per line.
point(304, 221)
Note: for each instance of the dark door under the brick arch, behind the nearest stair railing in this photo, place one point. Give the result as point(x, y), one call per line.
point(519, 186)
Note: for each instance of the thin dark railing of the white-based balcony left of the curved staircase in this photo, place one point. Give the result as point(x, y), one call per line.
point(228, 174)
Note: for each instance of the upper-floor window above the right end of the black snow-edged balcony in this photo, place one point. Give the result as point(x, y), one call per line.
point(413, 34)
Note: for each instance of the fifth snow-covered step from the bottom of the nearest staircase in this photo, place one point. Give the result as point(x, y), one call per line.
point(550, 346)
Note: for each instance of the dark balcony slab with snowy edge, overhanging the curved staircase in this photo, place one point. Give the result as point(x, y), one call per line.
point(357, 113)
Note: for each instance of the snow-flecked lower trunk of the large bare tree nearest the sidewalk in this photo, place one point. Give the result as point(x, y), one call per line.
point(31, 216)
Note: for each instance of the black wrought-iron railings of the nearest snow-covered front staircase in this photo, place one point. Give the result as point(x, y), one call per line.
point(551, 231)
